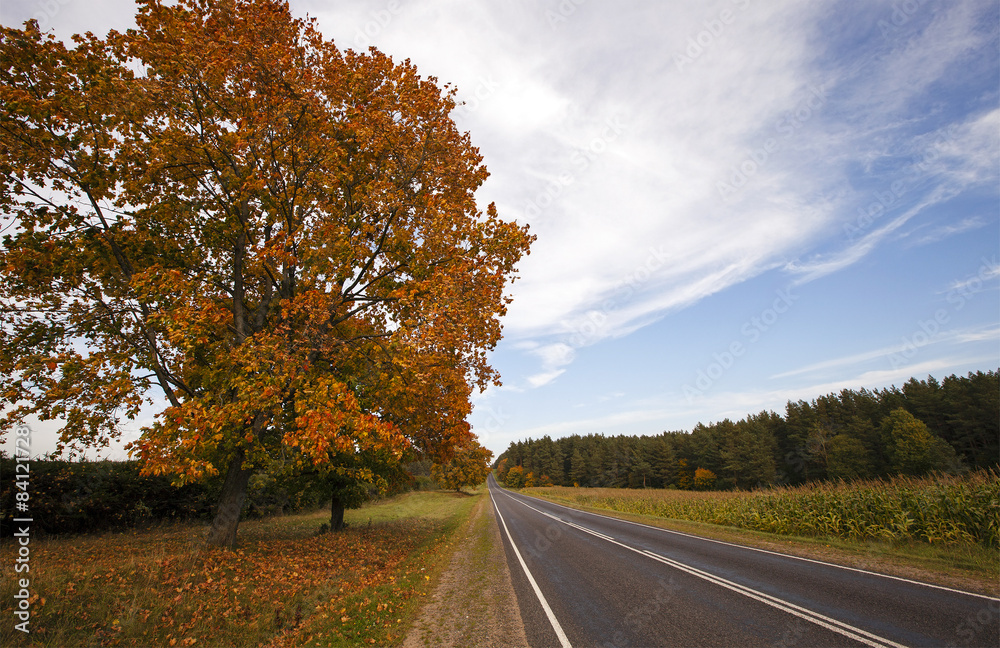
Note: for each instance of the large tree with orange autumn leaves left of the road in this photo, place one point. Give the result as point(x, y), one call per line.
point(279, 237)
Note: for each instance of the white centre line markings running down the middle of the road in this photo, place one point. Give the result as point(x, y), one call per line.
point(849, 631)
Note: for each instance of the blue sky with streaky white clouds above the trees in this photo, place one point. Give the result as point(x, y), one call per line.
point(737, 203)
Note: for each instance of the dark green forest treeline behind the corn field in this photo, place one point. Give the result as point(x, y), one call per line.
point(925, 426)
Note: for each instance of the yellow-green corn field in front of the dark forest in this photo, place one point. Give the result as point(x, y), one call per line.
point(937, 509)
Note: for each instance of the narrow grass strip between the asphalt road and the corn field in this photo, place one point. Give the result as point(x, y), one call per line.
point(966, 566)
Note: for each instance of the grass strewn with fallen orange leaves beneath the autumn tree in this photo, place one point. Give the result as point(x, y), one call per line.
point(282, 586)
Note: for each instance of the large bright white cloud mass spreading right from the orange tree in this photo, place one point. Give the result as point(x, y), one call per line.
point(575, 134)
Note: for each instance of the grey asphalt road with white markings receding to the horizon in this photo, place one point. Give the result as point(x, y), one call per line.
point(584, 579)
